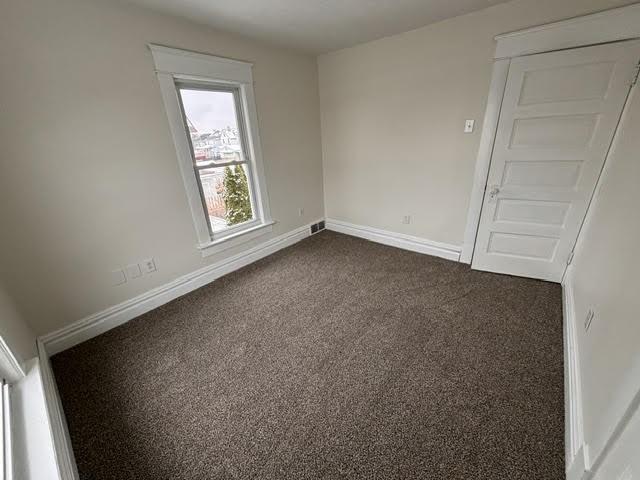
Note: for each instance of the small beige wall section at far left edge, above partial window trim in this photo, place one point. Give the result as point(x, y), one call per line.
point(14, 329)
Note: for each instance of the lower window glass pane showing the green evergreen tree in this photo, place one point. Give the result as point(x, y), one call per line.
point(227, 196)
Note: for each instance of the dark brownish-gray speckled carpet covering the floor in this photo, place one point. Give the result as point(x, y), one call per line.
point(334, 358)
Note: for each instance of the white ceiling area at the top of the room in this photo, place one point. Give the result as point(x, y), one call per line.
point(316, 26)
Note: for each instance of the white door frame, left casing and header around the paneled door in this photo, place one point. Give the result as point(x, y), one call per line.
point(603, 27)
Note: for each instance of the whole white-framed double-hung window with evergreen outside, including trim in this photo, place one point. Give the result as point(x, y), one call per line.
point(213, 120)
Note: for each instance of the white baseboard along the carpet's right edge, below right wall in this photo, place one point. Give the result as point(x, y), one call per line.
point(576, 450)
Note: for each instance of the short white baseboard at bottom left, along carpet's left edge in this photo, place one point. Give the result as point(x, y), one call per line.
point(65, 460)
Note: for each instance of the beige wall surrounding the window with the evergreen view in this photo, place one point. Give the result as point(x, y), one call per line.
point(90, 179)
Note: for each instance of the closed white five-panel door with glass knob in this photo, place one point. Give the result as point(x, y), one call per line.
point(558, 117)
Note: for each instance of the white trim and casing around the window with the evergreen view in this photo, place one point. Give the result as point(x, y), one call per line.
point(172, 64)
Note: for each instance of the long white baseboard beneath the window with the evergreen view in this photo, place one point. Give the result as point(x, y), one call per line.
point(100, 322)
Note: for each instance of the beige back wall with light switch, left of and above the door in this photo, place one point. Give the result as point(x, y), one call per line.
point(393, 111)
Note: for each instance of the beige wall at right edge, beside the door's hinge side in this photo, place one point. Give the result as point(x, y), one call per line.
point(604, 278)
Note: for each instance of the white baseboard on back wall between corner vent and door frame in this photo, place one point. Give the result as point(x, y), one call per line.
point(400, 240)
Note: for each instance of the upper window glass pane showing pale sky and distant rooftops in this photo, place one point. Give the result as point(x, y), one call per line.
point(213, 125)
